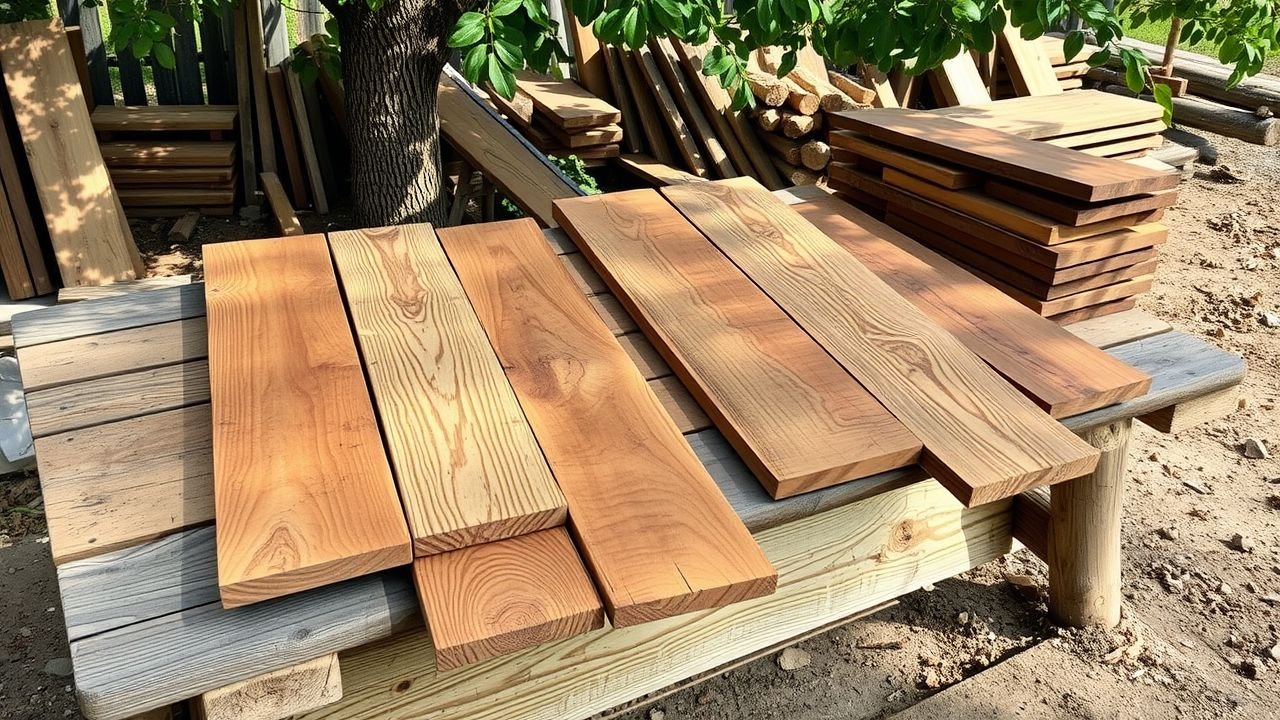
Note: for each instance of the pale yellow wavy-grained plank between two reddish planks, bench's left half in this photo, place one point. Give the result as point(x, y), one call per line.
point(467, 463)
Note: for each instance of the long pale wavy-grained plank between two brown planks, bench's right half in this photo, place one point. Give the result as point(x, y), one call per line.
point(866, 325)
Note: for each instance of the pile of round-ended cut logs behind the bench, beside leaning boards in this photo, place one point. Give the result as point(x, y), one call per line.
point(792, 113)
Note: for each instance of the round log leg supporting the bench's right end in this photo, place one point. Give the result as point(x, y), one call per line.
point(1085, 536)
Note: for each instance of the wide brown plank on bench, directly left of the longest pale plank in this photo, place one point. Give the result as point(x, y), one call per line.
point(767, 385)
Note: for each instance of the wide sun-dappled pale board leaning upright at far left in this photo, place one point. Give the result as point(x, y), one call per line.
point(92, 239)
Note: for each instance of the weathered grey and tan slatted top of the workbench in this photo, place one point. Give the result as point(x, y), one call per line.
point(118, 404)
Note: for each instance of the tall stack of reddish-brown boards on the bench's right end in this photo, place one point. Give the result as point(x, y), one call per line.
point(1068, 235)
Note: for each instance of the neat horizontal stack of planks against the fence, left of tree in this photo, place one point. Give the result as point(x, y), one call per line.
point(170, 160)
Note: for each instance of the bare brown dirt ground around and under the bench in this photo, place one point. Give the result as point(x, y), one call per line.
point(1200, 636)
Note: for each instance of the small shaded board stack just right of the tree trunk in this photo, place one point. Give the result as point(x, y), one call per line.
point(561, 119)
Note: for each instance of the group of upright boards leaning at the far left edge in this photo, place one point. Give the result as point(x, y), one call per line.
point(58, 208)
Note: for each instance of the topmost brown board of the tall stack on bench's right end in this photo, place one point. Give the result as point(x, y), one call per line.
point(1046, 167)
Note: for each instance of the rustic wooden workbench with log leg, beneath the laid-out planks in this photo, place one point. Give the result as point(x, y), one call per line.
point(118, 400)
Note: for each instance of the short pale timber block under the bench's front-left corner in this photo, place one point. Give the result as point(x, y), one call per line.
point(272, 696)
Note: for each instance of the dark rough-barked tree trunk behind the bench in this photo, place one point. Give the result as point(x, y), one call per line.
point(392, 62)
